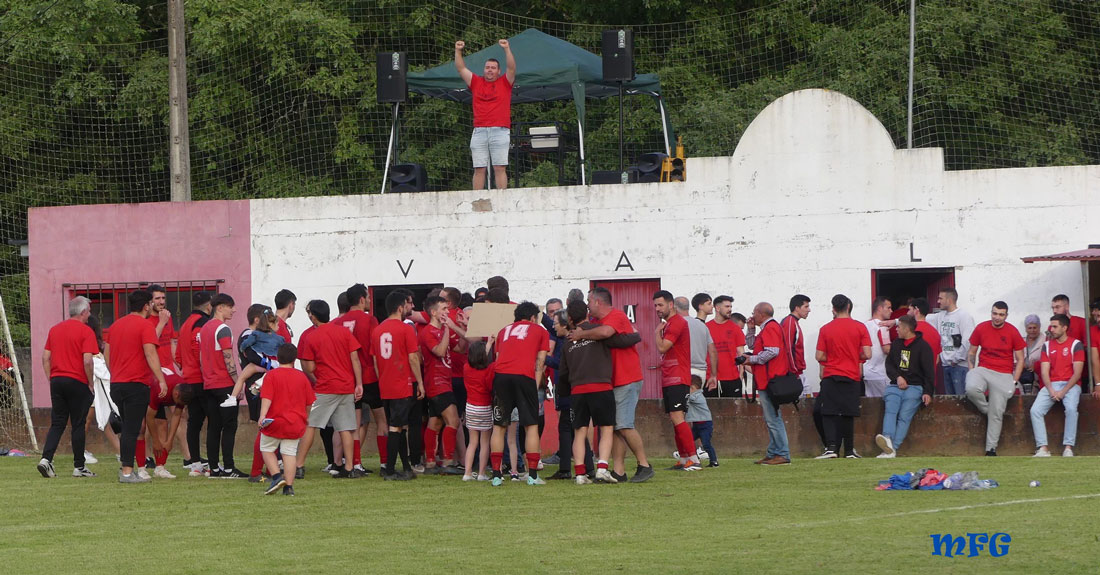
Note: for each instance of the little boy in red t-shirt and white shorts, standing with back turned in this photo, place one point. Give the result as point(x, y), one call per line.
point(284, 412)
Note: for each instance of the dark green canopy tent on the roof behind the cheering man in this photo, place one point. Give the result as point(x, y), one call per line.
point(547, 70)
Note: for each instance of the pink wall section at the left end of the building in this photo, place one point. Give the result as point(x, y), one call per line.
point(144, 242)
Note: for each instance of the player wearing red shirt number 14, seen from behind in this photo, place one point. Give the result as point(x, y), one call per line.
point(522, 350)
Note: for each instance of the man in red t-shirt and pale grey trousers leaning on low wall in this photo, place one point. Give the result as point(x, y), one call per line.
point(999, 366)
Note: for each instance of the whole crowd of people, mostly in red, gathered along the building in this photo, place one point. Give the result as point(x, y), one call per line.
point(444, 403)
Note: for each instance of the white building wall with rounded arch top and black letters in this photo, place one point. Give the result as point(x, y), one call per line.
point(813, 198)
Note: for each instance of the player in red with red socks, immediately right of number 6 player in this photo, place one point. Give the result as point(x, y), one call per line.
point(436, 348)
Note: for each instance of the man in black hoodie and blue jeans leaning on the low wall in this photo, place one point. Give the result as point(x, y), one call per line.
point(911, 370)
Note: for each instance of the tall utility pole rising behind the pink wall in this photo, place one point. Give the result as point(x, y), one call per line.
point(180, 157)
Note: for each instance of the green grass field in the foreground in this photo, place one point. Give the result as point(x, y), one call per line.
point(815, 516)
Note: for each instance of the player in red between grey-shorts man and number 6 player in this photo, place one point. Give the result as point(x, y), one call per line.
point(361, 324)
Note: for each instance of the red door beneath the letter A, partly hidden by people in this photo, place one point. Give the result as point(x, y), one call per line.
point(635, 297)
